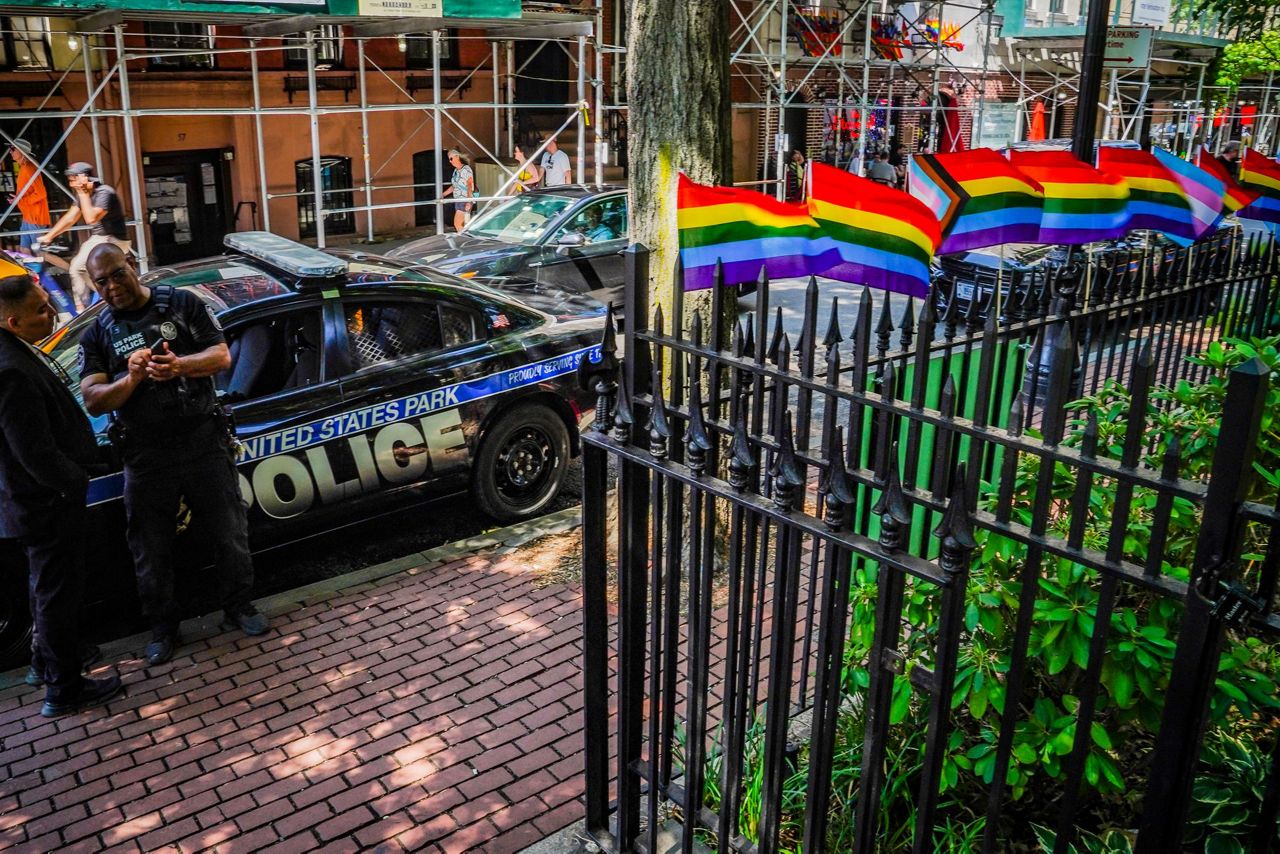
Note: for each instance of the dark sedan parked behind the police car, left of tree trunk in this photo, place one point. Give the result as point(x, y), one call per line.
point(569, 238)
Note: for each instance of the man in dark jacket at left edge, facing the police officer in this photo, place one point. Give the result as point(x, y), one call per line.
point(48, 444)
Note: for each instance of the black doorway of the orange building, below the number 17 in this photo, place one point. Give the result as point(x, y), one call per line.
point(188, 209)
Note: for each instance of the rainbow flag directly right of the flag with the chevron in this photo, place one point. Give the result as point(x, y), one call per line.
point(1081, 204)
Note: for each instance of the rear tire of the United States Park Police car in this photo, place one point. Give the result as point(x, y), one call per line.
point(533, 422)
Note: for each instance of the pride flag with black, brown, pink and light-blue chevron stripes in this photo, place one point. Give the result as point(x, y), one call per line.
point(979, 198)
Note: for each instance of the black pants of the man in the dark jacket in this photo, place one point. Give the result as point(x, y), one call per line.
point(56, 561)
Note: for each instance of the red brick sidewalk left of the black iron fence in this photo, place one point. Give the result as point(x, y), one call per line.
point(437, 709)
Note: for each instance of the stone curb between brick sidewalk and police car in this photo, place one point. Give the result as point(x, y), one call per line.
point(502, 541)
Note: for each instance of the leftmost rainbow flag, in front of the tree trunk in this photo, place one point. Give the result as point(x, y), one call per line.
point(748, 232)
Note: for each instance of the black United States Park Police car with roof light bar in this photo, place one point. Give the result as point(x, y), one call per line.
point(358, 385)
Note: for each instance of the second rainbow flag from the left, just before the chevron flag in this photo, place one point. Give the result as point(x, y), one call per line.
point(884, 236)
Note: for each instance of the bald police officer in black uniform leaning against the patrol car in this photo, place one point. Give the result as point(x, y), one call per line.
point(150, 359)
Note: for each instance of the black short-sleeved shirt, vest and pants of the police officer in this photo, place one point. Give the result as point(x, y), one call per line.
point(175, 446)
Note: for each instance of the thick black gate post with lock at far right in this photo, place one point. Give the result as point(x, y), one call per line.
point(1200, 641)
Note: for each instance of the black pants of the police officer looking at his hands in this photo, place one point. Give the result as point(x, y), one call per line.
point(198, 468)
